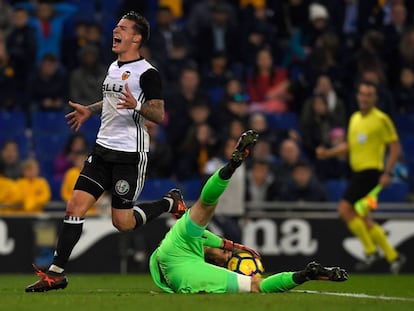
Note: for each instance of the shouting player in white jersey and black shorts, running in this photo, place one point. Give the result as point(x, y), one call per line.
point(132, 93)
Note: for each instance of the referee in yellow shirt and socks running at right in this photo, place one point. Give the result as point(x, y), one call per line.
point(370, 132)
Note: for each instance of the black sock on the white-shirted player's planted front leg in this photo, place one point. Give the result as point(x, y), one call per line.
point(68, 237)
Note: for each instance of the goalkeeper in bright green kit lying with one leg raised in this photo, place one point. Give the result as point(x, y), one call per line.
point(179, 264)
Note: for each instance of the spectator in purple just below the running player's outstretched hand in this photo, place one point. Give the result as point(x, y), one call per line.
point(64, 160)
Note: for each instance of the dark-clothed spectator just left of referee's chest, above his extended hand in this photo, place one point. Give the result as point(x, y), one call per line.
point(316, 124)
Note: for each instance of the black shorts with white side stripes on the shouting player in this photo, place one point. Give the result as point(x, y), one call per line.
point(122, 174)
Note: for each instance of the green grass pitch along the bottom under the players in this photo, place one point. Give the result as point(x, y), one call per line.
point(137, 292)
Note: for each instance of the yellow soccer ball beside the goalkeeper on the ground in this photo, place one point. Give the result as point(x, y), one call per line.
point(246, 264)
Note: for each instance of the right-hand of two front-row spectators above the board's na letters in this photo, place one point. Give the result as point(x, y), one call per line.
point(303, 185)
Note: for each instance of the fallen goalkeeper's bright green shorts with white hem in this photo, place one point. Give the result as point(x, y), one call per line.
point(178, 266)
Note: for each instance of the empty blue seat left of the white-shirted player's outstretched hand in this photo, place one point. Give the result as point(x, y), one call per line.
point(49, 122)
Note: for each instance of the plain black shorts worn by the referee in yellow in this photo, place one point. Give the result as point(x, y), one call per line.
point(360, 184)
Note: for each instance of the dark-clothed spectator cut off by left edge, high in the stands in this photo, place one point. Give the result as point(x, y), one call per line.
point(8, 80)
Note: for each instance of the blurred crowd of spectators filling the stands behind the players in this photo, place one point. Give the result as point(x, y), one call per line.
point(286, 68)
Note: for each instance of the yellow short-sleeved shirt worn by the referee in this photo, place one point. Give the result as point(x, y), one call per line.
point(368, 136)
